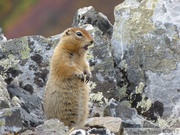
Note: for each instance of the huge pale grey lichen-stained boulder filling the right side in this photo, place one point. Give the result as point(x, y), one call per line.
point(145, 45)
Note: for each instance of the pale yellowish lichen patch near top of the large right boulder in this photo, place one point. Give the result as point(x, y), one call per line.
point(139, 24)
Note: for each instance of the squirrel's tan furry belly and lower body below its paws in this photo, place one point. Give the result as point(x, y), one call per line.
point(67, 101)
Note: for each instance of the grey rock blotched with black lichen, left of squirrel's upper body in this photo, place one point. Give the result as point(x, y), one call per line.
point(29, 63)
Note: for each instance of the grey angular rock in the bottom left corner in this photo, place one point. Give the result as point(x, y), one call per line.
point(16, 119)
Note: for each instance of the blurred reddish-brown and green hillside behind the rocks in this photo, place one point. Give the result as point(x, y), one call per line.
point(46, 17)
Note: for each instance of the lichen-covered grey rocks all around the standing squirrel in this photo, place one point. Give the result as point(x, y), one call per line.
point(135, 68)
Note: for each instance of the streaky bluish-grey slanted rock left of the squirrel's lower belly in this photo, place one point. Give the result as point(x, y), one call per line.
point(31, 106)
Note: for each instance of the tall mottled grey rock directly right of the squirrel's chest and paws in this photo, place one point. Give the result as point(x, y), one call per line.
point(103, 67)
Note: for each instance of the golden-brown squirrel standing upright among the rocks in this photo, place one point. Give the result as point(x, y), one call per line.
point(67, 89)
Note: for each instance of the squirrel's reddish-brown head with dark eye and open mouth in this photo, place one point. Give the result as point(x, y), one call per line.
point(77, 38)
